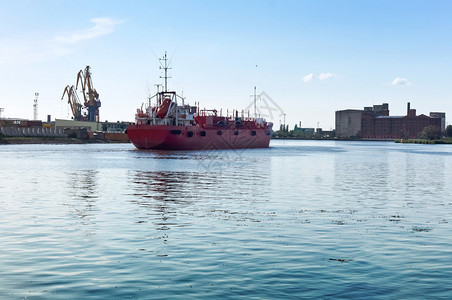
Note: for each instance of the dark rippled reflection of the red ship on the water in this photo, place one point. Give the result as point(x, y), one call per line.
point(172, 198)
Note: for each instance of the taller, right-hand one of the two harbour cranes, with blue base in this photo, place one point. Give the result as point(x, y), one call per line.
point(90, 95)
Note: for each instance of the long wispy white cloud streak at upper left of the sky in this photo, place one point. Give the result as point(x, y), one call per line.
point(102, 26)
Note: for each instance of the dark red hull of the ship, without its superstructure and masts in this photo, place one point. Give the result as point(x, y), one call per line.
point(166, 137)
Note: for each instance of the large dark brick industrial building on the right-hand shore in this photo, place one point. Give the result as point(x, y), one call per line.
point(376, 123)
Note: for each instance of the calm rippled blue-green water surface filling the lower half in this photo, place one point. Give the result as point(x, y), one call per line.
point(299, 220)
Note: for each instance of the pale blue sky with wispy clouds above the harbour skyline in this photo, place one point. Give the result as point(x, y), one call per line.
point(311, 58)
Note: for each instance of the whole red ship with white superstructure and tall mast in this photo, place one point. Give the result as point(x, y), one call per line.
point(170, 124)
